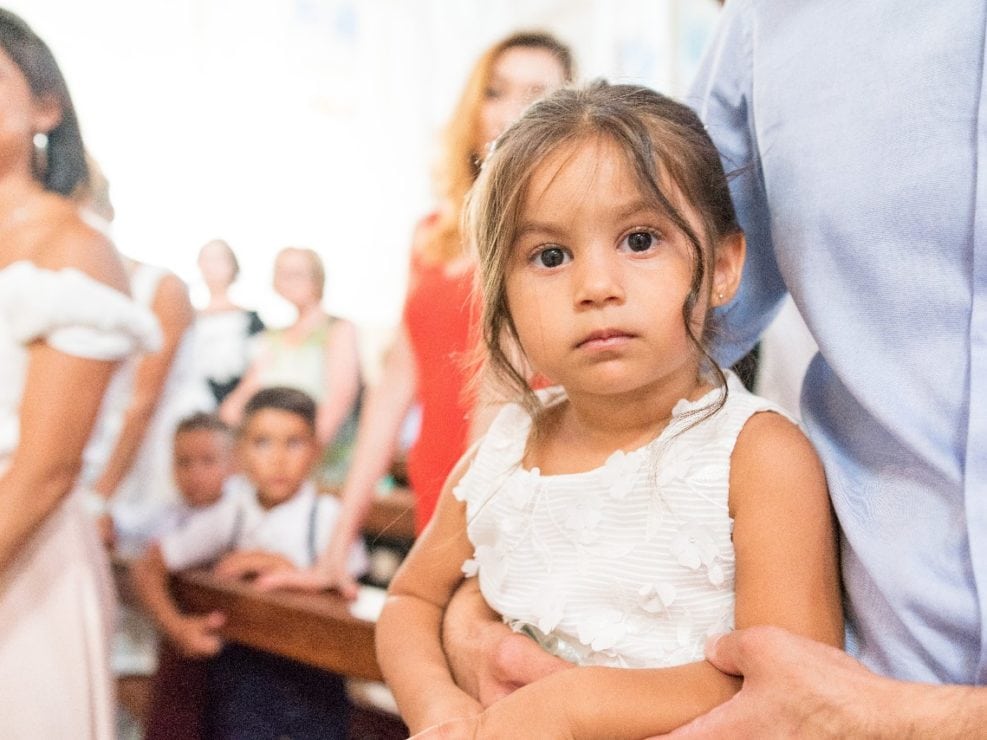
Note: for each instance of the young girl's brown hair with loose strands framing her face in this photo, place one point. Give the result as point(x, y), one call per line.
point(664, 143)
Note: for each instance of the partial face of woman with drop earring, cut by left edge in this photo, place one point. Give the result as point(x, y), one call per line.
point(21, 114)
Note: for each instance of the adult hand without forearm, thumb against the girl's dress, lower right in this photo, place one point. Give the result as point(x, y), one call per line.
point(793, 687)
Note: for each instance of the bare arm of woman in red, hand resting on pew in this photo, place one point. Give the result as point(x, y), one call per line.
point(388, 403)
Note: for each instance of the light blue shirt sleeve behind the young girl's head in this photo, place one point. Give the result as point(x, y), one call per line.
point(722, 95)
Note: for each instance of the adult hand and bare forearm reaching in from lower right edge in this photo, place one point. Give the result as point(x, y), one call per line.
point(796, 686)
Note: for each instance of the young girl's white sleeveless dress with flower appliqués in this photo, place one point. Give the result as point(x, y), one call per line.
point(628, 565)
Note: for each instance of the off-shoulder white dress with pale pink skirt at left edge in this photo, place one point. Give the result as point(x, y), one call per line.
point(56, 596)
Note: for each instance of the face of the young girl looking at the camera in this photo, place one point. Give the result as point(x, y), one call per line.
point(598, 278)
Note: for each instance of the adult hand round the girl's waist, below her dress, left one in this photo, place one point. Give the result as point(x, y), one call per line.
point(488, 661)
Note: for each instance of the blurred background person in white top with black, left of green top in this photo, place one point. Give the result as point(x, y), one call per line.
point(222, 328)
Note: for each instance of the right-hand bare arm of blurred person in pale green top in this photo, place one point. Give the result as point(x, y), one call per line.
point(342, 380)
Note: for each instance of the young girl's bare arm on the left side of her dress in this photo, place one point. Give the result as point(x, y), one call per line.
point(408, 635)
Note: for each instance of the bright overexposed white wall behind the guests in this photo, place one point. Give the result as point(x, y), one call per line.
point(310, 122)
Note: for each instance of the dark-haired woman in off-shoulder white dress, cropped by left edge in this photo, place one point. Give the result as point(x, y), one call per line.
point(65, 318)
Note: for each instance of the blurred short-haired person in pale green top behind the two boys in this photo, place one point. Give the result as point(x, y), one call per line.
point(317, 353)
